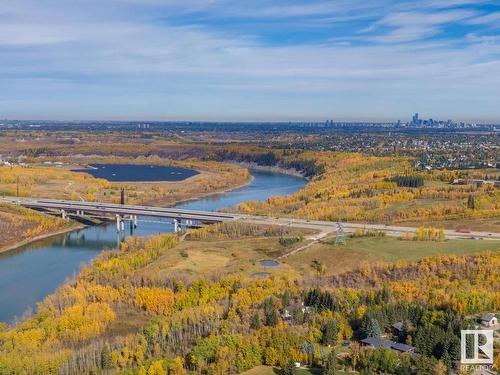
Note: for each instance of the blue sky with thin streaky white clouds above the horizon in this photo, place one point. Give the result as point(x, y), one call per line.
point(250, 60)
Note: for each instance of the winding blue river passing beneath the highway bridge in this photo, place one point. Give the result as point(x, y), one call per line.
point(30, 273)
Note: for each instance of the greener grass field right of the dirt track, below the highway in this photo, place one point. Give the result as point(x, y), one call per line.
point(338, 259)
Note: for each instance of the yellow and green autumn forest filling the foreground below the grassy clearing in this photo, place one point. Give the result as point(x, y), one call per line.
point(118, 317)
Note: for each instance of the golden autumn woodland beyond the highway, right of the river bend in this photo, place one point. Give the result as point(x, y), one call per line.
point(355, 187)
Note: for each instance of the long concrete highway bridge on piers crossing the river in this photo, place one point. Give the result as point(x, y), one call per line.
point(121, 213)
